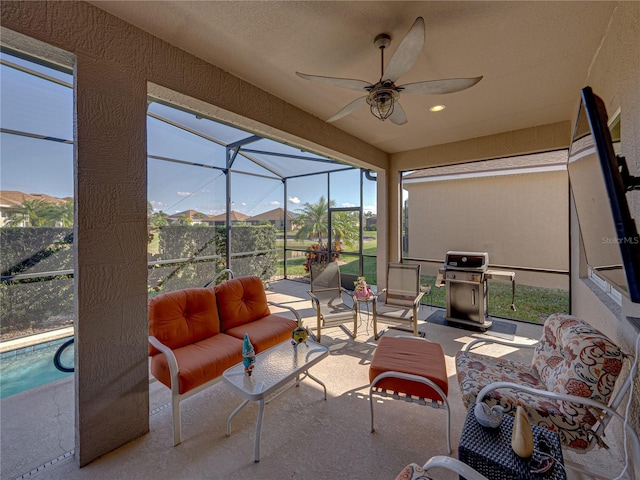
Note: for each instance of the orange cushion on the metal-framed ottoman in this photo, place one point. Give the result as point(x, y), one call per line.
point(413, 356)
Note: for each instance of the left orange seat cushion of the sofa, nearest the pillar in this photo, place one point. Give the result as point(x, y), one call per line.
point(199, 362)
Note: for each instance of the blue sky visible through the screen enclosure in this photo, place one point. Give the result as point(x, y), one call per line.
point(34, 165)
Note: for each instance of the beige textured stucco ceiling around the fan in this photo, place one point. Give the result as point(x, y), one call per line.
point(534, 57)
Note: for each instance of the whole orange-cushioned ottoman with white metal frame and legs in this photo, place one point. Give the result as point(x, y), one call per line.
point(413, 369)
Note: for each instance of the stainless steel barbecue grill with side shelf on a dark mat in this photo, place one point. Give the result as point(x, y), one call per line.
point(466, 275)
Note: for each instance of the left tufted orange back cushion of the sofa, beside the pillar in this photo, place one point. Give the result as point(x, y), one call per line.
point(183, 317)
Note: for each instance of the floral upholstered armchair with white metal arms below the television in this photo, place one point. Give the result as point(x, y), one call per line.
point(568, 387)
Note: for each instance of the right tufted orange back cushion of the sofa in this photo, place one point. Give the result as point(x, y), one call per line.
point(241, 300)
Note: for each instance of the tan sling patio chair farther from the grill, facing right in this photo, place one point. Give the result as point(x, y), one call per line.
point(327, 298)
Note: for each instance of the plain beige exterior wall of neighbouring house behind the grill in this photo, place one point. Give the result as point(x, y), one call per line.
point(519, 219)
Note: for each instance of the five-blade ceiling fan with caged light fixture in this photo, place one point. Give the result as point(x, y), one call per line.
point(383, 96)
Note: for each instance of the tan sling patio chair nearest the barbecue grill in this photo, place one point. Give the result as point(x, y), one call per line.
point(399, 302)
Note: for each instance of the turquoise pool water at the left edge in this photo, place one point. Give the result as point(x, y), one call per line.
point(28, 368)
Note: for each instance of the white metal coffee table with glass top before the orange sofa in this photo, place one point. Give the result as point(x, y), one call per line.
point(274, 369)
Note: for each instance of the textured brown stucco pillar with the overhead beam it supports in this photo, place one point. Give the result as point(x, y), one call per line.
point(116, 65)
